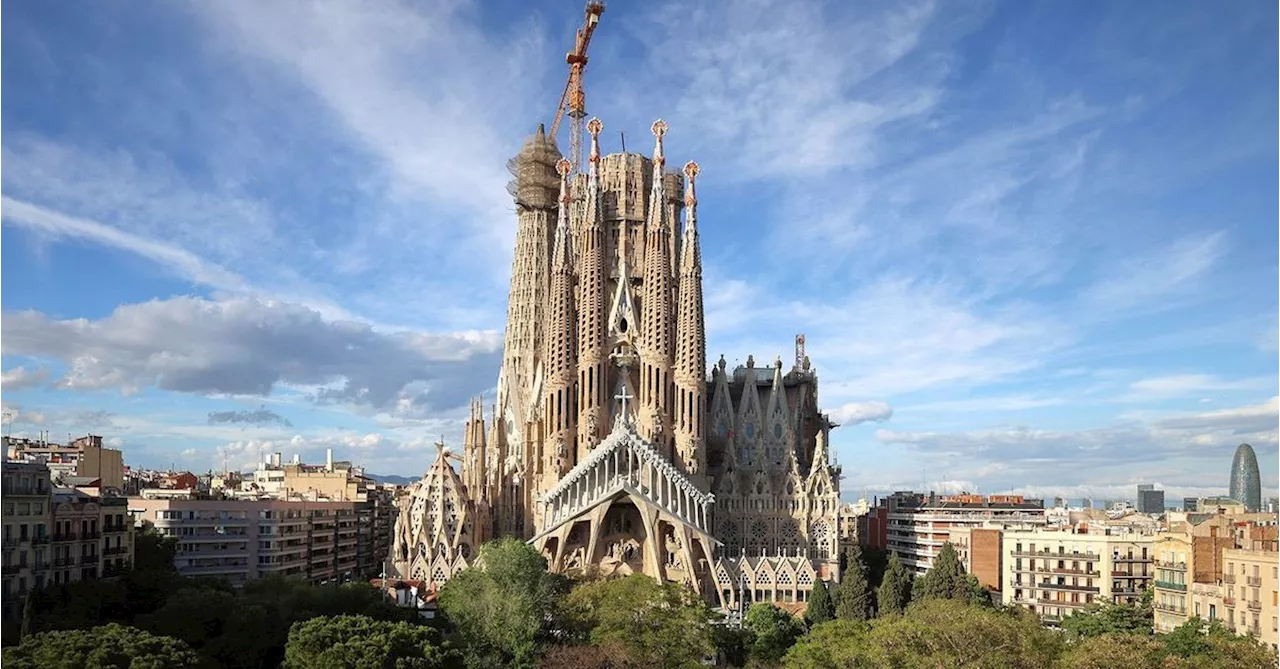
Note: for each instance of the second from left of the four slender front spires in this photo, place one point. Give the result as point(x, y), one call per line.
point(591, 309)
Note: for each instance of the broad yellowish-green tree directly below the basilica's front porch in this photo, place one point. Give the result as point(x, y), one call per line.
point(656, 625)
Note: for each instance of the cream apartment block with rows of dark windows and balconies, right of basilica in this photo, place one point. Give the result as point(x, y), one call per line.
point(1059, 572)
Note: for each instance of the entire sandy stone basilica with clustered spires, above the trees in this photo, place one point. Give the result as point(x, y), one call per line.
point(611, 446)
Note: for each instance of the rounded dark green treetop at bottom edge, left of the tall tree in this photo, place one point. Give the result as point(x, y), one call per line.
point(362, 643)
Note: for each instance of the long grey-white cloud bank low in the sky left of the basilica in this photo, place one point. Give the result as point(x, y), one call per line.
point(248, 347)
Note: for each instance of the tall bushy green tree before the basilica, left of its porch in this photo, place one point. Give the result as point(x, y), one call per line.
point(501, 610)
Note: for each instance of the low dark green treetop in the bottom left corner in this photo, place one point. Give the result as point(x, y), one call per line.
point(113, 647)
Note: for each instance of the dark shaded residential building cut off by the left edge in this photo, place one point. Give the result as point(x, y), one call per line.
point(25, 492)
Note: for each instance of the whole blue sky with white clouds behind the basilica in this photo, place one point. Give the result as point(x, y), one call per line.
point(1034, 245)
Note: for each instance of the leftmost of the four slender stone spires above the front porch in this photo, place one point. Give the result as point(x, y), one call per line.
point(561, 345)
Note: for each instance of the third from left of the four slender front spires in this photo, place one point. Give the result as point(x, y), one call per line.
point(656, 308)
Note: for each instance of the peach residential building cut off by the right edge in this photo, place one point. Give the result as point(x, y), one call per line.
point(1251, 593)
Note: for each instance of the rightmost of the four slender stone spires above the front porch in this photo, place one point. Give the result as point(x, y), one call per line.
point(691, 370)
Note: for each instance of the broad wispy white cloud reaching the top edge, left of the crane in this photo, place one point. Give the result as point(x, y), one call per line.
point(419, 86)
